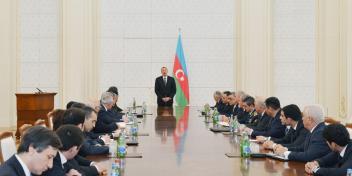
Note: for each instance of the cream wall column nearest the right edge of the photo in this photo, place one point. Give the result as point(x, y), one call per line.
point(331, 56)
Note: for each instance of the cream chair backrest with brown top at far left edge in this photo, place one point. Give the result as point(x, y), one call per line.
point(7, 146)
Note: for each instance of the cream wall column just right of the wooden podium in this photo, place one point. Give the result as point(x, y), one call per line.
point(80, 48)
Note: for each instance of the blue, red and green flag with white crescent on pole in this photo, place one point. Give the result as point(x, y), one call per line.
point(181, 76)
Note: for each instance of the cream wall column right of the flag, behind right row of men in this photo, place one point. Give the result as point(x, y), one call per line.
point(254, 47)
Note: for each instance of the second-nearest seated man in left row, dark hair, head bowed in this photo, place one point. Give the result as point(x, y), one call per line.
point(67, 152)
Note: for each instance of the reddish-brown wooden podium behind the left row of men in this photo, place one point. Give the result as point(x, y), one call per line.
point(33, 106)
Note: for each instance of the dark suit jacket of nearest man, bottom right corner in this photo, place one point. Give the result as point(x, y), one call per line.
point(334, 164)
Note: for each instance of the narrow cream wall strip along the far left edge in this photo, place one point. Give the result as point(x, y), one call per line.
point(8, 19)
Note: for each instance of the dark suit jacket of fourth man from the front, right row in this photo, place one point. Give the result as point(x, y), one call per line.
point(275, 128)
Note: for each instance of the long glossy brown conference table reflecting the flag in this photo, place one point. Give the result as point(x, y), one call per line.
point(180, 143)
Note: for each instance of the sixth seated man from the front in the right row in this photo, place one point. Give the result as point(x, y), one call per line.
point(249, 110)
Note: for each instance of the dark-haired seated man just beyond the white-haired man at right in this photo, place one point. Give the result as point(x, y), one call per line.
point(290, 115)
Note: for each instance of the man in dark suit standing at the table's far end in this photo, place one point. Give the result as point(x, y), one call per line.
point(165, 88)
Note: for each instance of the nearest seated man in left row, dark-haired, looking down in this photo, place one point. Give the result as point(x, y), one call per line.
point(35, 153)
